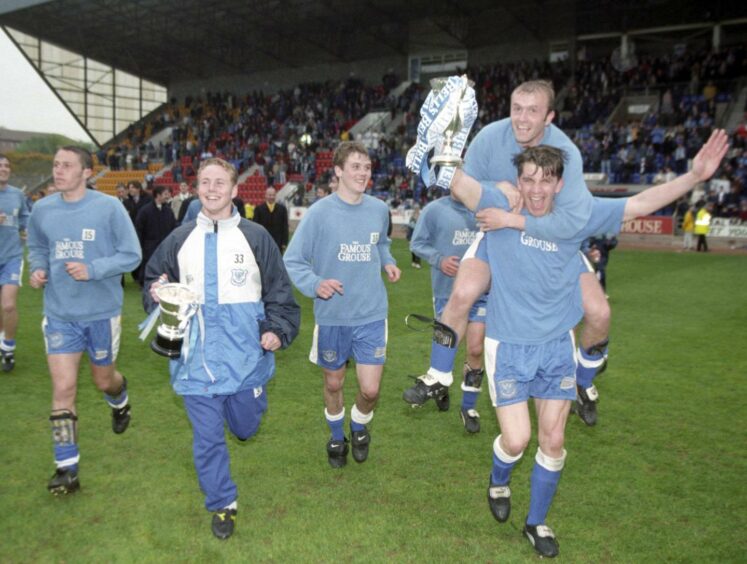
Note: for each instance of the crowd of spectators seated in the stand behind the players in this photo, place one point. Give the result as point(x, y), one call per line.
point(282, 134)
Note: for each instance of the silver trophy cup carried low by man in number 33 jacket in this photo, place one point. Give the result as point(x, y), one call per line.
point(177, 304)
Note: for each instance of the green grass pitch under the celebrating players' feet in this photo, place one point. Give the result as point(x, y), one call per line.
point(660, 479)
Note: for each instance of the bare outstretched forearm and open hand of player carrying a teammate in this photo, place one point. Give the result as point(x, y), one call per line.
point(705, 164)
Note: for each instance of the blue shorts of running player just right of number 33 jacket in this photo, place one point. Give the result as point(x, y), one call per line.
point(332, 345)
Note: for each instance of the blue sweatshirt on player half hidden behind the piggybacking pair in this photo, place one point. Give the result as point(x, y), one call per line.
point(445, 228)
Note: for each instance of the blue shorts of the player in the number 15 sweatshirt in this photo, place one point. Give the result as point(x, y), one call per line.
point(99, 338)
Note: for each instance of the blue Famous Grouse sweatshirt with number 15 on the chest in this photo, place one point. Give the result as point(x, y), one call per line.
point(96, 231)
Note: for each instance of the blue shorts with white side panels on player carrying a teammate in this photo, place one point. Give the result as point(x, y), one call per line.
point(519, 372)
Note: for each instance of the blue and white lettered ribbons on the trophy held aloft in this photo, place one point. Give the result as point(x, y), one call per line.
point(456, 97)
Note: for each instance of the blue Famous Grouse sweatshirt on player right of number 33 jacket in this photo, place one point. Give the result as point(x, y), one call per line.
point(348, 243)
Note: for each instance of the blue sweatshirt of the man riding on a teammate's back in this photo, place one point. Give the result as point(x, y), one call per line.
point(489, 158)
